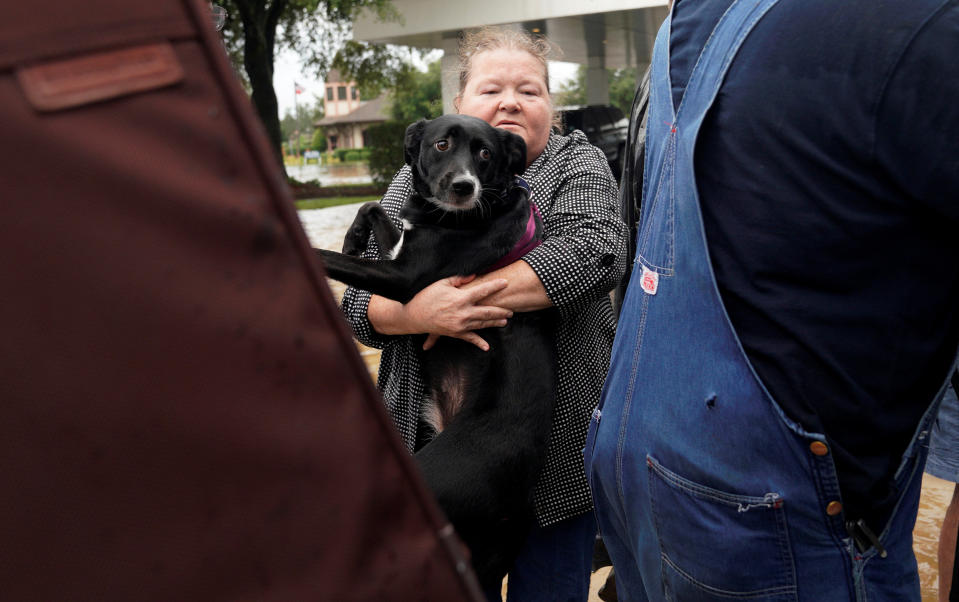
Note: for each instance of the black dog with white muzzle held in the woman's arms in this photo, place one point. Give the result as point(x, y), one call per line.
point(466, 215)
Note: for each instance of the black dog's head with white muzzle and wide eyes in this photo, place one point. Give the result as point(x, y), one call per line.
point(456, 158)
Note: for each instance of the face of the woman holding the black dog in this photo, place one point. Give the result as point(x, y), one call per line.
point(507, 89)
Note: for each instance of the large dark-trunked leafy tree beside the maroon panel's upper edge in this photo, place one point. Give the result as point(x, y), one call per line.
point(315, 29)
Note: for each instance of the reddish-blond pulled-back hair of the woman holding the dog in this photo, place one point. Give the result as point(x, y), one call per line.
point(496, 38)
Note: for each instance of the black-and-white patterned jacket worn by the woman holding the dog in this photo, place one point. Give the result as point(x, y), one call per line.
point(582, 257)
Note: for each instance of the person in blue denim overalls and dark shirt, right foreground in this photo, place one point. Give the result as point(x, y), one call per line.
point(790, 323)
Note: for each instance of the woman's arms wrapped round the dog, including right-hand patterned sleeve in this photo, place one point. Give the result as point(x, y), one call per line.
point(582, 259)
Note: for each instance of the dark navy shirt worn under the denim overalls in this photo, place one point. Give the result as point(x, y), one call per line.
point(828, 174)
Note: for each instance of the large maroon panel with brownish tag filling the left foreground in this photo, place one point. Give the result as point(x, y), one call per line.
point(183, 413)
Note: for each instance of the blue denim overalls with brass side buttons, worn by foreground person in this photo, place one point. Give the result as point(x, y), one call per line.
point(704, 489)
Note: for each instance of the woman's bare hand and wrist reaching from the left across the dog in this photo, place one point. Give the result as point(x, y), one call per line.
point(442, 309)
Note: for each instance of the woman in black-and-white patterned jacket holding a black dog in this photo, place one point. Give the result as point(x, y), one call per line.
point(504, 81)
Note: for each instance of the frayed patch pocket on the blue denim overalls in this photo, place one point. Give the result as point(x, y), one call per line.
point(718, 546)
